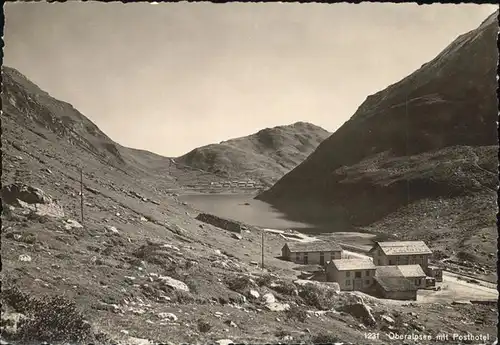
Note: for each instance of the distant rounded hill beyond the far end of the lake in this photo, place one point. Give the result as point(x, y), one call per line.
point(264, 156)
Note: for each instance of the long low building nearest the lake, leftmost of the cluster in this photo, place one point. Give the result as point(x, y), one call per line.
point(317, 252)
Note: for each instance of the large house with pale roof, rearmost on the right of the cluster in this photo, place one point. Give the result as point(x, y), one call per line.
point(401, 253)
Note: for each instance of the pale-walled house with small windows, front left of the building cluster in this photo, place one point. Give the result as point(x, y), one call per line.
point(351, 274)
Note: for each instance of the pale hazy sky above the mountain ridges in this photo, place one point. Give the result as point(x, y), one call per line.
point(174, 76)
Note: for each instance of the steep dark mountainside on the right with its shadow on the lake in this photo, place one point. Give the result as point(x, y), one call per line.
point(426, 141)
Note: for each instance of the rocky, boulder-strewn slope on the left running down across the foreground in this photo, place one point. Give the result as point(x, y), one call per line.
point(139, 266)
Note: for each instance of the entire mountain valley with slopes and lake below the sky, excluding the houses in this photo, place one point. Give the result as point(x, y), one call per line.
point(105, 244)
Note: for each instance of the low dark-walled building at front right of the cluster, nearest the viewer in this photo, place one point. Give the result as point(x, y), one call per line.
point(390, 282)
